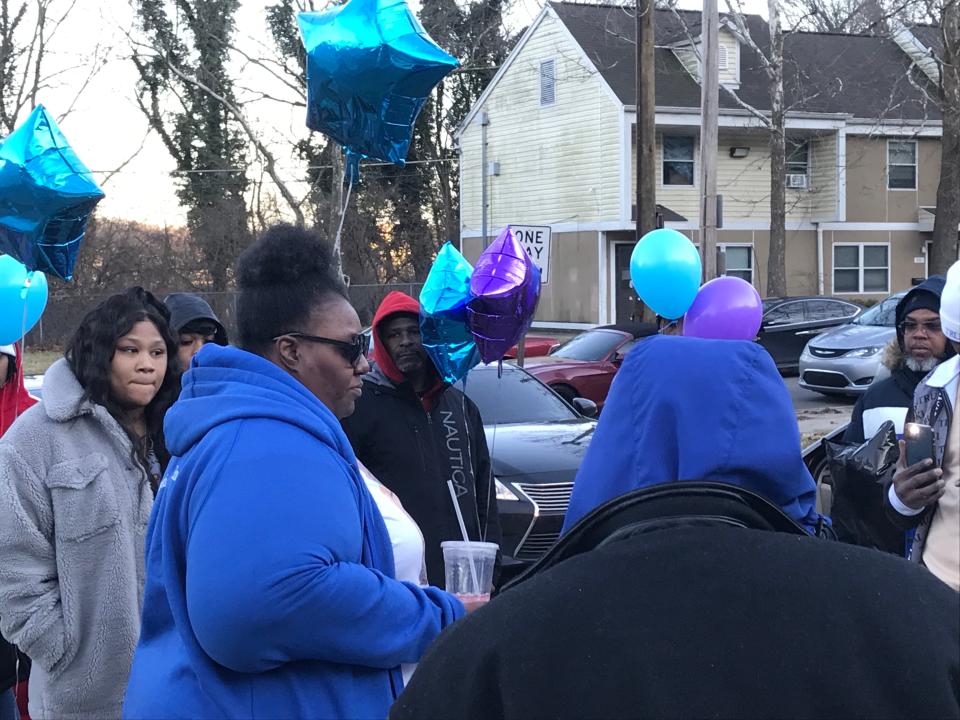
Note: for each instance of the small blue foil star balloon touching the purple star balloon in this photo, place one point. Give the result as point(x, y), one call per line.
point(443, 315)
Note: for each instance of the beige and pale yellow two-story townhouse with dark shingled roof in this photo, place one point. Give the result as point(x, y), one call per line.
point(558, 124)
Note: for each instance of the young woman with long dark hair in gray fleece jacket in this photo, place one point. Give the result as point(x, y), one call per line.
point(77, 477)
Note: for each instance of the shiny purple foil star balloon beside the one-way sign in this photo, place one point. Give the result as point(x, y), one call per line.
point(506, 289)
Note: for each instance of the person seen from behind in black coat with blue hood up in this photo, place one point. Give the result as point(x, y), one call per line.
point(691, 587)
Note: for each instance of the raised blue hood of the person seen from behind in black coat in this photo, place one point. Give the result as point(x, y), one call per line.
point(687, 409)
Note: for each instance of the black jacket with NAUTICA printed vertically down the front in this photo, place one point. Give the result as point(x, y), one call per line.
point(414, 451)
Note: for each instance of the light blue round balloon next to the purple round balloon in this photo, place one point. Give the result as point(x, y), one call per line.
point(665, 269)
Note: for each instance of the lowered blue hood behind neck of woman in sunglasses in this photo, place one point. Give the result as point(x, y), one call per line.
point(225, 383)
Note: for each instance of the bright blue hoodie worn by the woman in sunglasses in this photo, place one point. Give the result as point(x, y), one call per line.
point(269, 589)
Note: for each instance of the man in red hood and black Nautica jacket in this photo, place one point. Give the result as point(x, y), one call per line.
point(415, 432)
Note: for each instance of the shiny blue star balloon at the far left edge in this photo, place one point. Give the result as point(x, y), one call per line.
point(46, 197)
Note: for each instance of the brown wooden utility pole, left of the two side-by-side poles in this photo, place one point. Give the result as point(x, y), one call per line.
point(646, 120)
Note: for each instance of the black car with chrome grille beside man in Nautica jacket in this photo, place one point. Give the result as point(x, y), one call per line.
point(536, 442)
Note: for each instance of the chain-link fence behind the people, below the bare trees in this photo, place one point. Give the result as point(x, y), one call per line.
point(64, 314)
